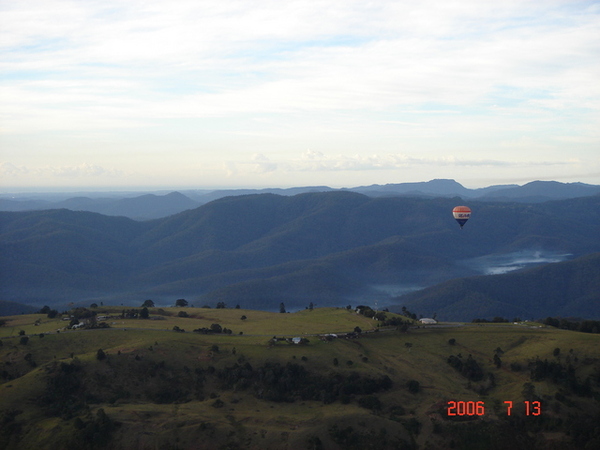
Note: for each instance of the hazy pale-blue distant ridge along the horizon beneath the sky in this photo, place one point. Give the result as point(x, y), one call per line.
point(153, 206)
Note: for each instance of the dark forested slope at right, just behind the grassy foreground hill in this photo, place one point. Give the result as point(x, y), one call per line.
point(567, 289)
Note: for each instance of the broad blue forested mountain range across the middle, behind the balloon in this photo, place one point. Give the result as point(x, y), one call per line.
point(329, 248)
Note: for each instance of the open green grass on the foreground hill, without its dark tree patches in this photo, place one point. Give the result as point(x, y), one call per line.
point(421, 355)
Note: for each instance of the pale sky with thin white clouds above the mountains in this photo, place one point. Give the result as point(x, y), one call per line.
point(239, 93)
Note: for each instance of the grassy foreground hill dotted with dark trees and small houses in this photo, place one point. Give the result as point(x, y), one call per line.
point(140, 384)
